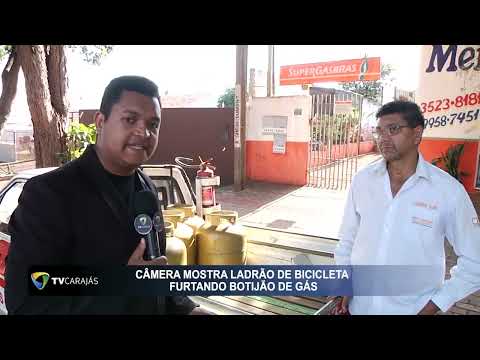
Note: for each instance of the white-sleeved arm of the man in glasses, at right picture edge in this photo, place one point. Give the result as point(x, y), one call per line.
point(463, 233)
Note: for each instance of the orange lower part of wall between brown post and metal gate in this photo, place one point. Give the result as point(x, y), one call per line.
point(288, 168)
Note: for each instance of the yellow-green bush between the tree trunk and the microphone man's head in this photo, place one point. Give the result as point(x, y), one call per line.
point(79, 136)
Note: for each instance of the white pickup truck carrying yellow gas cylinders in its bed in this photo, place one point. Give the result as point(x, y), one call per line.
point(265, 246)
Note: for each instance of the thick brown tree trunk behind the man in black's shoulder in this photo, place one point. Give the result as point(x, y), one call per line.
point(44, 69)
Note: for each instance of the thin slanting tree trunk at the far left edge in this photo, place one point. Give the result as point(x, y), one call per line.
point(9, 86)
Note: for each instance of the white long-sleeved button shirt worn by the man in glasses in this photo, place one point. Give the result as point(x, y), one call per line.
point(409, 229)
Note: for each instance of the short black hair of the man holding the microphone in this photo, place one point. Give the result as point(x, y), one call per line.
point(114, 90)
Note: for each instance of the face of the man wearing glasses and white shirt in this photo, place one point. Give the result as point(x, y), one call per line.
point(400, 140)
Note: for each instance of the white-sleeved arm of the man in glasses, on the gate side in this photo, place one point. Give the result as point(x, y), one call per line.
point(348, 229)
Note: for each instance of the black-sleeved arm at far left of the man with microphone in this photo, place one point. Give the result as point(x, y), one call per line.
point(39, 236)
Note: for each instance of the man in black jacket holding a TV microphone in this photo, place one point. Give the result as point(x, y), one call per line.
point(80, 213)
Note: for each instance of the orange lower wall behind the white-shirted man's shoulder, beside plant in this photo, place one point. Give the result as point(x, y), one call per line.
point(431, 148)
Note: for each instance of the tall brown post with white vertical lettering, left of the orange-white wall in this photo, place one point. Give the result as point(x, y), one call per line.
point(239, 125)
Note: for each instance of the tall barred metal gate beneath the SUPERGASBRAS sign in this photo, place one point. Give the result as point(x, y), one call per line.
point(335, 129)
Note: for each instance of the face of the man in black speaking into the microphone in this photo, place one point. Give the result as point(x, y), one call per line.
point(129, 137)
